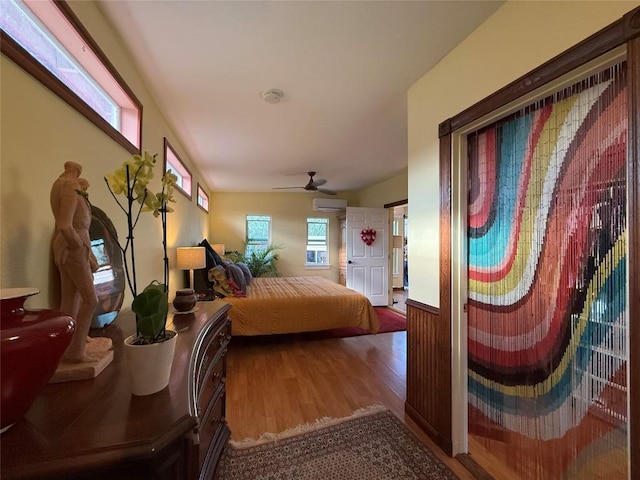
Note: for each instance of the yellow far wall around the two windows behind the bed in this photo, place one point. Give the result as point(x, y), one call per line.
point(289, 213)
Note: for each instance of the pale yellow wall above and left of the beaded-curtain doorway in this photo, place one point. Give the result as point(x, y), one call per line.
point(516, 39)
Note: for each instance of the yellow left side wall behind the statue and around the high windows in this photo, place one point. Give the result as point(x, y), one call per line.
point(39, 132)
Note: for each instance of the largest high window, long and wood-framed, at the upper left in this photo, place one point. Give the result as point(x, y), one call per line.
point(47, 40)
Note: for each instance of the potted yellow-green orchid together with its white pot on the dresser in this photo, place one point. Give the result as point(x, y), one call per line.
point(150, 351)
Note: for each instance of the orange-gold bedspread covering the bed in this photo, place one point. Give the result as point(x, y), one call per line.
point(299, 304)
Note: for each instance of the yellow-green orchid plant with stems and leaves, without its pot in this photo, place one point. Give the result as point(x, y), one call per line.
point(131, 180)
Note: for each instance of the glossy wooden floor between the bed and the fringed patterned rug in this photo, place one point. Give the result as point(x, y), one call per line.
point(277, 383)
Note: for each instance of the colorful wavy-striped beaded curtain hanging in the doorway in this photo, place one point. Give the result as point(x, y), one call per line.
point(547, 323)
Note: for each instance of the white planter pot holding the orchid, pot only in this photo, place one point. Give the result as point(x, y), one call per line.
point(149, 365)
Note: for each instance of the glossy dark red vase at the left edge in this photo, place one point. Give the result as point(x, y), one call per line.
point(33, 342)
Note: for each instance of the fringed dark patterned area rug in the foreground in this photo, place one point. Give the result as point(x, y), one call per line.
point(371, 444)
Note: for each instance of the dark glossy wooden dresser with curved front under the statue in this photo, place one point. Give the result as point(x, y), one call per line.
point(97, 429)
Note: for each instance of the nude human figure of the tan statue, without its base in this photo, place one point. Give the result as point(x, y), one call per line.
point(73, 257)
